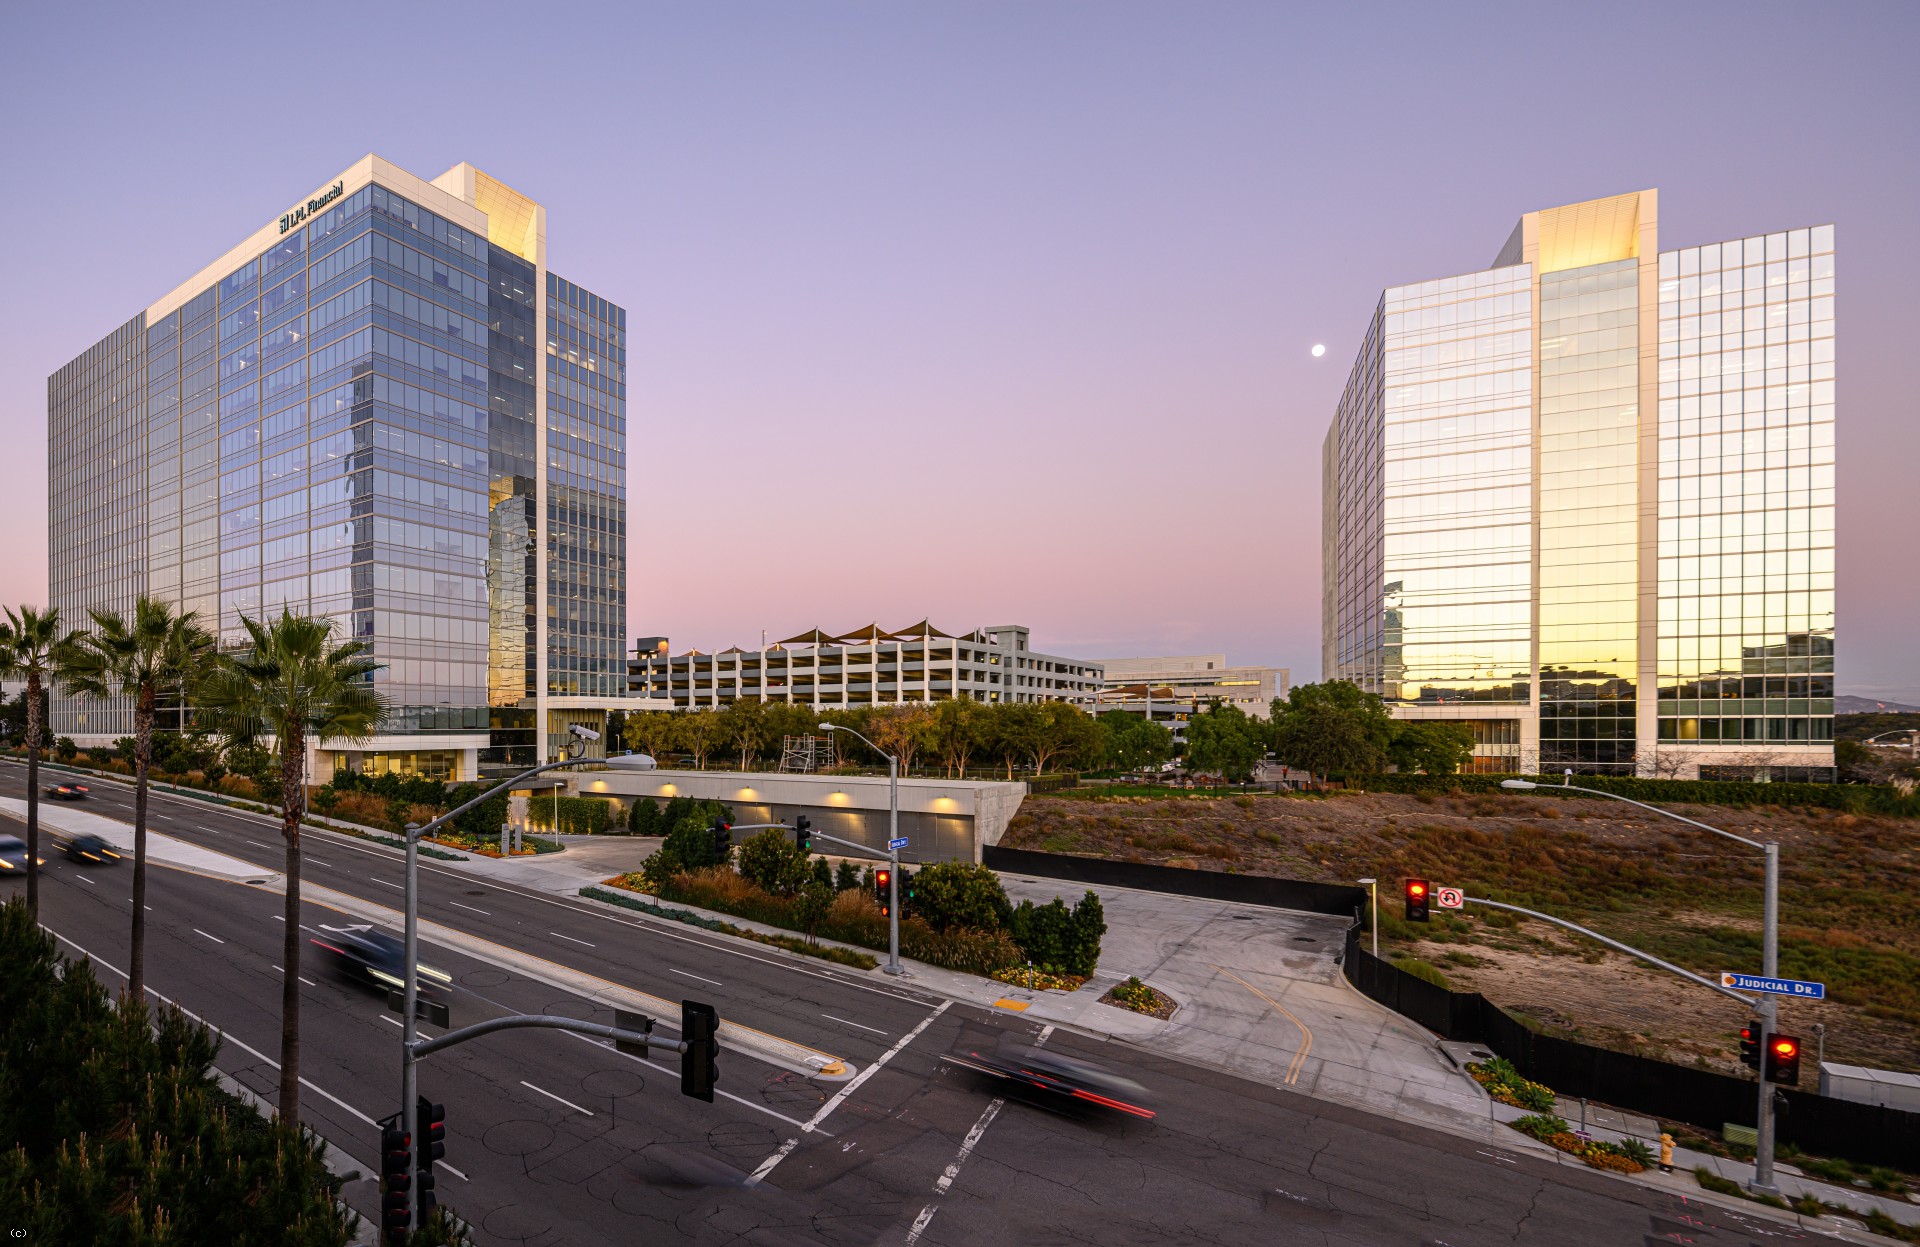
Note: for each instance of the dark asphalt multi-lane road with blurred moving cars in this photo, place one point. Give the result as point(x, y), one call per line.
point(562, 1140)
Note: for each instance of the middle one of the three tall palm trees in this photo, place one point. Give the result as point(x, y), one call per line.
point(151, 656)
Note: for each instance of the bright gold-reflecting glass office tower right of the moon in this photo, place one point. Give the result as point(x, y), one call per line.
point(1583, 502)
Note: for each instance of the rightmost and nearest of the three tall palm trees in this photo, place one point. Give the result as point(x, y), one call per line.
point(295, 685)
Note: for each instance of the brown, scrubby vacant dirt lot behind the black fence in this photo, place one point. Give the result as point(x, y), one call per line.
point(1850, 902)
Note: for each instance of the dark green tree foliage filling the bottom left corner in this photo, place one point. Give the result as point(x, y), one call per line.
point(118, 1133)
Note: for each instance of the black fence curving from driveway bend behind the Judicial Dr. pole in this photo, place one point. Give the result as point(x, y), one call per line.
point(1819, 1125)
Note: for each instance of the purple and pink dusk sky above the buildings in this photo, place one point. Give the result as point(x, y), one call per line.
point(988, 312)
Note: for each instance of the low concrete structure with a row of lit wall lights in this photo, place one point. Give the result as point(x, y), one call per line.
point(942, 819)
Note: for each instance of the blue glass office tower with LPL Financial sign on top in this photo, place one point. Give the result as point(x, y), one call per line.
point(345, 418)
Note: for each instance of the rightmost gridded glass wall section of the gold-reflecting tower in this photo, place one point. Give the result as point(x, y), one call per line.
point(1746, 531)
